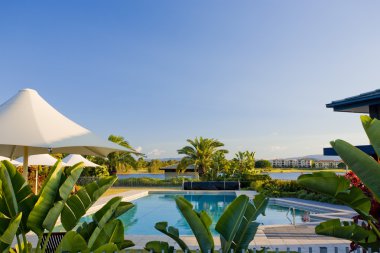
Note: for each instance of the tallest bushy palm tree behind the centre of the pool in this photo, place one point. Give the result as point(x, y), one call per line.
point(200, 154)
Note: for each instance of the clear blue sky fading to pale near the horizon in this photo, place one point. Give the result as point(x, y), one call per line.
point(255, 75)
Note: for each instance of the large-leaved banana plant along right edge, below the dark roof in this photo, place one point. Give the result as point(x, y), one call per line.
point(364, 229)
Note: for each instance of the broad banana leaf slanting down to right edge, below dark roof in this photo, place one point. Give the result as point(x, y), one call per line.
point(364, 166)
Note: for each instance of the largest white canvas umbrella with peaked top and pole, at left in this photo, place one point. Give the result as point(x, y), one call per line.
point(29, 125)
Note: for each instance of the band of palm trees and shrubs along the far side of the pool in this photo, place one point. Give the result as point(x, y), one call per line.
point(205, 154)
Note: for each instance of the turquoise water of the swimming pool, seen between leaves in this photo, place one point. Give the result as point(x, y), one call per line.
point(156, 207)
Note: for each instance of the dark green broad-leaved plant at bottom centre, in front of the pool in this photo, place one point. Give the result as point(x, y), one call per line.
point(236, 226)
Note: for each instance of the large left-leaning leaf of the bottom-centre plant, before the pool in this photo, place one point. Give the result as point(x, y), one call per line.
point(198, 222)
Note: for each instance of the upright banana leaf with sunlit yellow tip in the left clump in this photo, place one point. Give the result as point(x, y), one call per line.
point(45, 201)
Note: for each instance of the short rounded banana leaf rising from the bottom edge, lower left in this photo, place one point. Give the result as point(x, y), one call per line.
point(72, 242)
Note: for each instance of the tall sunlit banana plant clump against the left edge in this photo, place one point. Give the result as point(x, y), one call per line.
point(20, 208)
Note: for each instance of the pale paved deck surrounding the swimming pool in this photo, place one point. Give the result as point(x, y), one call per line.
point(271, 236)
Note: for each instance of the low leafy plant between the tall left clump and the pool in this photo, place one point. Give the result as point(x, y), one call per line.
point(104, 234)
